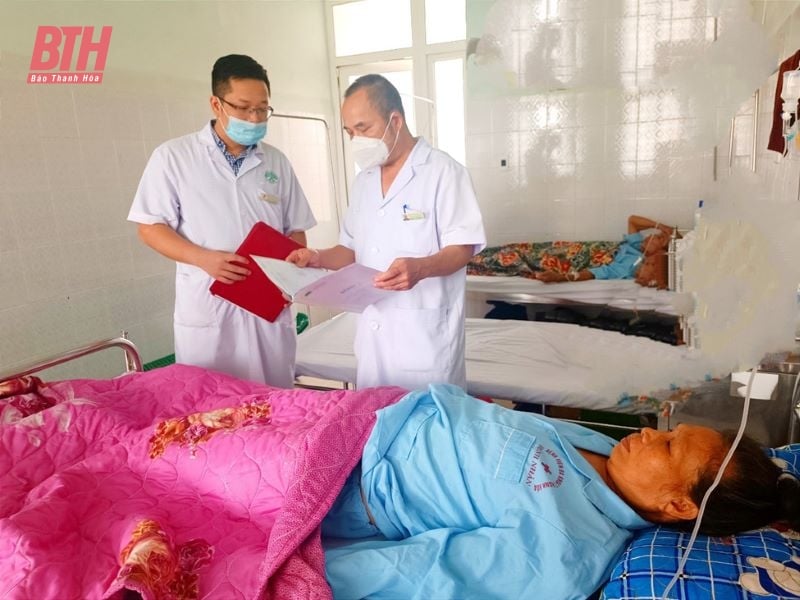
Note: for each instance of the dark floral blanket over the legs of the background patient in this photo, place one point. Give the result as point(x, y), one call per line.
point(528, 258)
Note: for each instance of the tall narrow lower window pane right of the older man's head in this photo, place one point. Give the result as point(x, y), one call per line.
point(449, 81)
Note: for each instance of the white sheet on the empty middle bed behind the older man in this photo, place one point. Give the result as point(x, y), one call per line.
point(557, 364)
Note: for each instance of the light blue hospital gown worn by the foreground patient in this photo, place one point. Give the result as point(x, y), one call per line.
point(477, 501)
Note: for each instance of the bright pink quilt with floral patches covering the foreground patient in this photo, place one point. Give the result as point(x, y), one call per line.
point(176, 483)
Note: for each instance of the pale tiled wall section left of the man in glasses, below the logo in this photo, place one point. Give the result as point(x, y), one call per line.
point(72, 268)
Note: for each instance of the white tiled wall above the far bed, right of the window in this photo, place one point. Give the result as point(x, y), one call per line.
point(573, 123)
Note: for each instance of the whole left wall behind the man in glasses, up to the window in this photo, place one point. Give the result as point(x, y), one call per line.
point(71, 266)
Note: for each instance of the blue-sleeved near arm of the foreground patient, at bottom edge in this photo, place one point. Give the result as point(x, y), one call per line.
point(522, 557)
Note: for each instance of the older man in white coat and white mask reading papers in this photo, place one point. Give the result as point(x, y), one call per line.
point(413, 216)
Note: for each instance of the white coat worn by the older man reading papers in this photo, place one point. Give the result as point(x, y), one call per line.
point(414, 337)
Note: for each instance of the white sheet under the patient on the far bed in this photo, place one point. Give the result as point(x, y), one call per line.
point(617, 293)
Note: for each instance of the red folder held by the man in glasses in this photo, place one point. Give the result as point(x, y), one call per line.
point(255, 293)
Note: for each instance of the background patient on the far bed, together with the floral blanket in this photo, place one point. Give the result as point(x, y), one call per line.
point(635, 257)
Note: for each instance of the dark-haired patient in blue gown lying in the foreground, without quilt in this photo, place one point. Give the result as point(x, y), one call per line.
point(468, 500)
